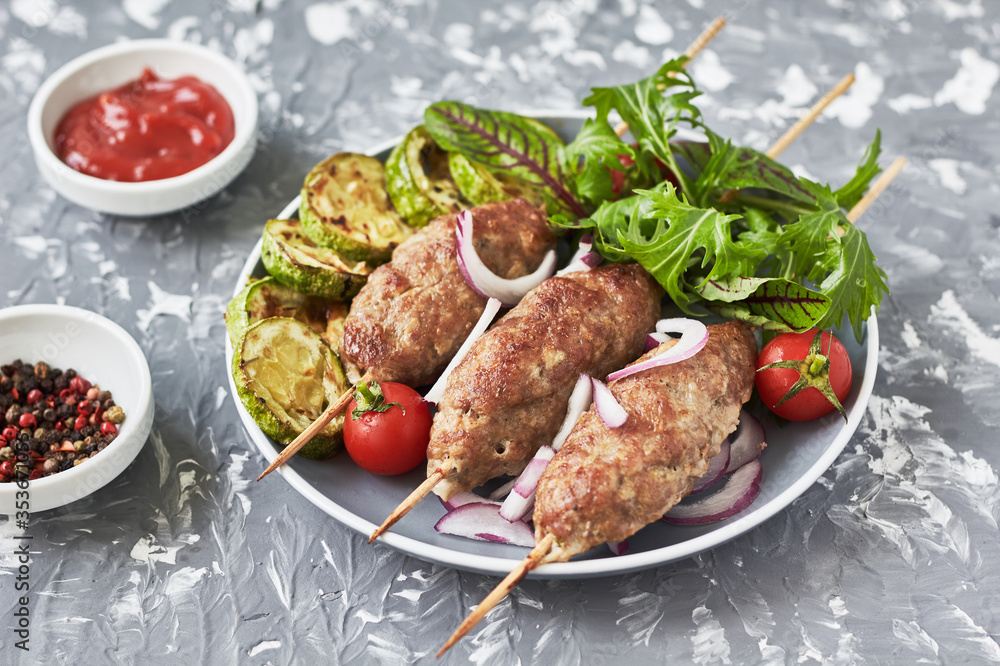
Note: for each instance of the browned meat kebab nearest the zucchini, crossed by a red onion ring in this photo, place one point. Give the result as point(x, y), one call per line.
point(415, 312)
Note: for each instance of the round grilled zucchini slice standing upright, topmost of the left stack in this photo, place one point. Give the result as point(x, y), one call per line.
point(345, 207)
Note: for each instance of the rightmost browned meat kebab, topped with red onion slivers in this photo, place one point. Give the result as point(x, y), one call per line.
point(605, 484)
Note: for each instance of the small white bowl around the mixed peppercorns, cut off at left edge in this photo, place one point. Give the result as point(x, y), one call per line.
point(102, 352)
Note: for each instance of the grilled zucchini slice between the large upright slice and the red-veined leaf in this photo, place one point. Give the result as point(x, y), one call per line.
point(419, 180)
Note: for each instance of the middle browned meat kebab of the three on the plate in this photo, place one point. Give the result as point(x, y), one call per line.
point(509, 395)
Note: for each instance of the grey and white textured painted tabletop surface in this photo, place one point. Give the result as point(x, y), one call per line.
point(893, 557)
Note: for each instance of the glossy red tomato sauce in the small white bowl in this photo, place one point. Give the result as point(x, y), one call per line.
point(147, 129)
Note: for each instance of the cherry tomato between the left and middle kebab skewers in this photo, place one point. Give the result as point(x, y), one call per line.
point(393, 441)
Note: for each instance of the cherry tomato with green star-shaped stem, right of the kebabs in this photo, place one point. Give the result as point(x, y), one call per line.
point(799, 369)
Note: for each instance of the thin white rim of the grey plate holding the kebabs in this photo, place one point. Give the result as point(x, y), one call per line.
point(590, 568)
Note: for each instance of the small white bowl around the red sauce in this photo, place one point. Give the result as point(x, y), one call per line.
point(112, 66)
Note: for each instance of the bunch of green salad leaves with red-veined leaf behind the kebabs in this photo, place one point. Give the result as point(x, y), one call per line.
point(720, 226)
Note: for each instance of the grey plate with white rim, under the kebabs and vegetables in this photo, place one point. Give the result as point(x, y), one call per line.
point(797, 454)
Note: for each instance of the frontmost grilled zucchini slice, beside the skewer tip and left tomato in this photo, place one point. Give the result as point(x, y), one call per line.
point(285, 376)
